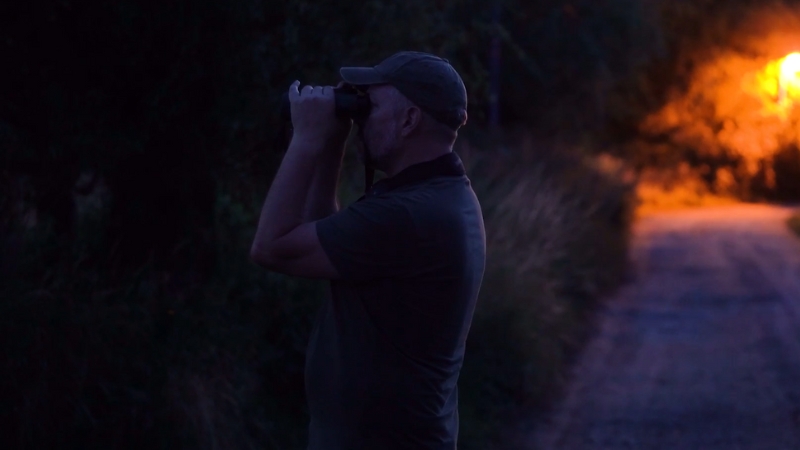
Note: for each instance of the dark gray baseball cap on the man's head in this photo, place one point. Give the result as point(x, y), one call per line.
point(428, 81)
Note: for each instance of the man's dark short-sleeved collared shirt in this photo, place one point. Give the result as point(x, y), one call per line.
point(388, 344)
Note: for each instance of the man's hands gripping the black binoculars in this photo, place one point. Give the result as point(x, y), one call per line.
point(314, 117)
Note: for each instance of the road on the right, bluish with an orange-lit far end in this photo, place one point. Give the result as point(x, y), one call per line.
point(701, 350)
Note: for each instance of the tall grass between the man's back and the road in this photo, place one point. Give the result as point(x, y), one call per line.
point(557, 229)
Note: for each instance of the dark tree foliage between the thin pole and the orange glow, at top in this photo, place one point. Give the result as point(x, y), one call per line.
point(564, 60)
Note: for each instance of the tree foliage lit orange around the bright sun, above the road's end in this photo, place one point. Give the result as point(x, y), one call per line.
point(701, 104)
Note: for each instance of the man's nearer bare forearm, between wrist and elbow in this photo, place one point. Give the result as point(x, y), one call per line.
point(284, 207)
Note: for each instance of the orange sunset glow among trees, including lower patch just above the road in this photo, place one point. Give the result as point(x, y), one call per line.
point(735, 104)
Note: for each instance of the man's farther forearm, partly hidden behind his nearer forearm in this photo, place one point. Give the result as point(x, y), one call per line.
point(321, 198)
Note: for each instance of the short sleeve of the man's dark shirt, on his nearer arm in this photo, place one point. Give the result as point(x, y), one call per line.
point(371, 239)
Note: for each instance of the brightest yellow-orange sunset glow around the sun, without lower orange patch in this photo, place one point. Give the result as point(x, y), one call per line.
point(753, 101)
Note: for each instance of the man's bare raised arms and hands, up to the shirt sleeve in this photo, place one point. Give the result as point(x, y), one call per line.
point(286, 239)
